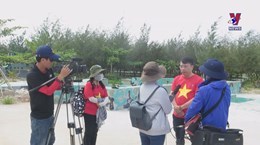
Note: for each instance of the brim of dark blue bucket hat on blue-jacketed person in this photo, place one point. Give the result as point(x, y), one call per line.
point(216, 75)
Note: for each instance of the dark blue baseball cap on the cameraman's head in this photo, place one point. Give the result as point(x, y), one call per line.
point(46, 51)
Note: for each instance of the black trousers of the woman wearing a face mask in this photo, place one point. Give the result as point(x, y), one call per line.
point(91, 129)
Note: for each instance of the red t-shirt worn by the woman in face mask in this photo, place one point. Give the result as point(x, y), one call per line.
point(91, 108)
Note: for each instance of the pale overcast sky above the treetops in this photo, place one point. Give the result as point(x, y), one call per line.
point(167, 18)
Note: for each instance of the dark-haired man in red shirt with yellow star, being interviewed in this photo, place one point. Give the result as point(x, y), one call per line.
point(184, 87)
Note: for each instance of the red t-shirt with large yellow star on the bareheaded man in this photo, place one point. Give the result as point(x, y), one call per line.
point(189, 87)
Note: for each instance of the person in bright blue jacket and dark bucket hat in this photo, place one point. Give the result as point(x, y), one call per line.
point(209, 93)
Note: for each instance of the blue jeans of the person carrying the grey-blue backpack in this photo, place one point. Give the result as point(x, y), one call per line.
point(152, 140)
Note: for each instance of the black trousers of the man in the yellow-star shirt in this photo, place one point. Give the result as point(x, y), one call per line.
point(178, 126)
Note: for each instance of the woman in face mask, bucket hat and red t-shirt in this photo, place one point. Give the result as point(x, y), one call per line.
point(96, 97)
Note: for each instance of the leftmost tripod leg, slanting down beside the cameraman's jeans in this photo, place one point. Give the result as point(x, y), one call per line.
point(51, 129)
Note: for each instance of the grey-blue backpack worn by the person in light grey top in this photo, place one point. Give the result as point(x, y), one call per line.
point(139, 116)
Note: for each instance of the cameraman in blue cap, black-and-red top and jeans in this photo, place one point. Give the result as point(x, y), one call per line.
point(41, 96)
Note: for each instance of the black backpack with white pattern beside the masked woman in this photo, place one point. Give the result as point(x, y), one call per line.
point(78, 102)
